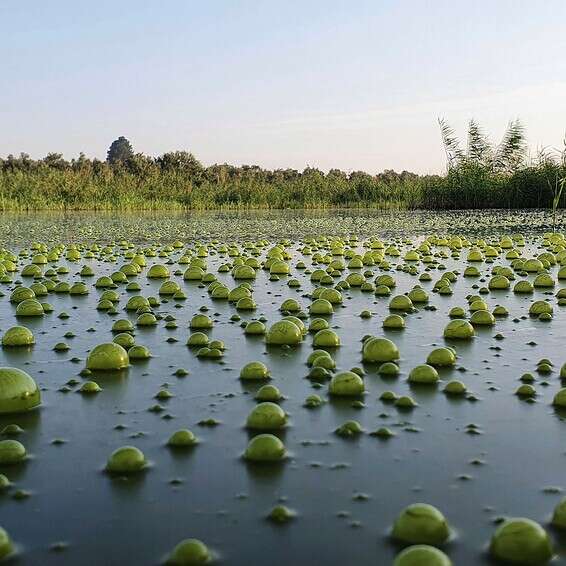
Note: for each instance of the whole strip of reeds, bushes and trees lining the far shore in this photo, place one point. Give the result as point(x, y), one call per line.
point(481, 176)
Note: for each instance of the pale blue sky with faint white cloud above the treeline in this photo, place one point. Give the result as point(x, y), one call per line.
point(349, 84)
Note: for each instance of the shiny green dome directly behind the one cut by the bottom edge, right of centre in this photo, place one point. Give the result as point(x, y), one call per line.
point(421, 523)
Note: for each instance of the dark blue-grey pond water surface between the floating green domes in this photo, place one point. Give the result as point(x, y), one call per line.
point(222, 500)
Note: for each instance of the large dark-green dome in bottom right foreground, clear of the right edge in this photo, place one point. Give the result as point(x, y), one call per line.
point(521, 541)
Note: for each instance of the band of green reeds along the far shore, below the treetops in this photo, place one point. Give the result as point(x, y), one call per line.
point(46, 188)
